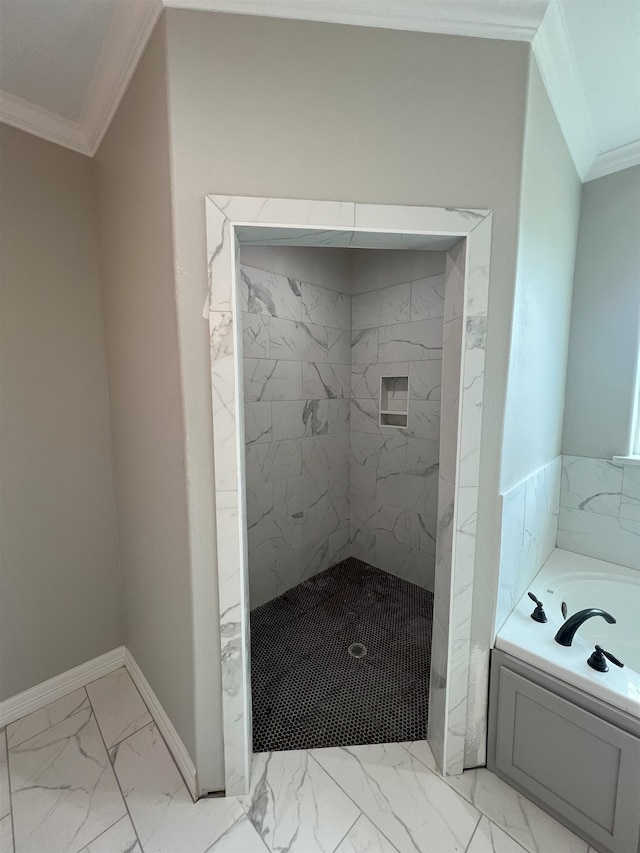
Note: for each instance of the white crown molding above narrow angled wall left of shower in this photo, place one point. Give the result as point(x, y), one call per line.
point(129, 31)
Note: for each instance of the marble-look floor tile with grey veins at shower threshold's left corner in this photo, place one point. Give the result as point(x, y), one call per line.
point(295, 806)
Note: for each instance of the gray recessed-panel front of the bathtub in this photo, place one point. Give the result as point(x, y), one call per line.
point(575, 756)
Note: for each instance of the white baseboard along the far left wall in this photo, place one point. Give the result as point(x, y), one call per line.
point(37, 697)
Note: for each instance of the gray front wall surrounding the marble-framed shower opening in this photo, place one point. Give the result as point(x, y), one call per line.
point(306, 110)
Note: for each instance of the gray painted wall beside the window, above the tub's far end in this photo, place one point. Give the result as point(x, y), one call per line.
point(605, 319)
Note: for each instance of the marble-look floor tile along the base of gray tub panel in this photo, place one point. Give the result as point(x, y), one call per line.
point(529, 825)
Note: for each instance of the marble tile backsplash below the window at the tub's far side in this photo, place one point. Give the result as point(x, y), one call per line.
point(600, 510)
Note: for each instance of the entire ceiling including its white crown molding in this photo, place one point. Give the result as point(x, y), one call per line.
point(65, 64)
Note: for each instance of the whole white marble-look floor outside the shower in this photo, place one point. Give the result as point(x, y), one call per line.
point(91, 773)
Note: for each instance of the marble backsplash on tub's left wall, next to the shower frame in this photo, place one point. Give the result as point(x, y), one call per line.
point(528, 535)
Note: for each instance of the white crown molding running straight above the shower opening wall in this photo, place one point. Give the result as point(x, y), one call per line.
point(495, 19)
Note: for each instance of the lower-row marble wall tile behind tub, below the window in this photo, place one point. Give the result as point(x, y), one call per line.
point(615, 540)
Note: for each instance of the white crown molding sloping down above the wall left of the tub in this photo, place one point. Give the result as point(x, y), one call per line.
point(560, 76)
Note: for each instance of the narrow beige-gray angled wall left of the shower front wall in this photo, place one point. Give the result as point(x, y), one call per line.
point(133, 177)
